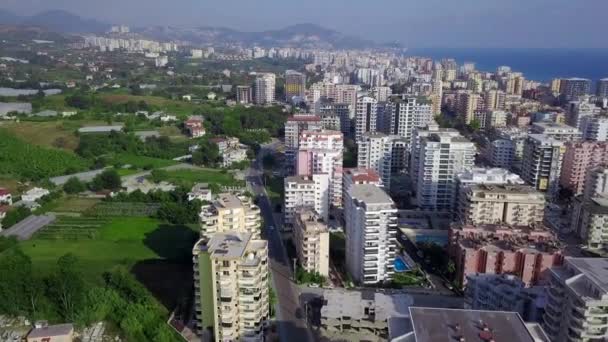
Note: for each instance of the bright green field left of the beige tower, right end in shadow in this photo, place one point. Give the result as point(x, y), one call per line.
point(126, 241)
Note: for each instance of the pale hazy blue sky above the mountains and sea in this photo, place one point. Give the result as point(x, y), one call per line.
point(414, 23)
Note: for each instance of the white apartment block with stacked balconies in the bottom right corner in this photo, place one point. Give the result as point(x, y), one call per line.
point(577, 304)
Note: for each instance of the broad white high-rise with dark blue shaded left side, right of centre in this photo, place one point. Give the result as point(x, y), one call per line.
point(441, 158)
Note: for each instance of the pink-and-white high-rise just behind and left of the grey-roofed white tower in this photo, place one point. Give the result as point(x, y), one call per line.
point(321, 153)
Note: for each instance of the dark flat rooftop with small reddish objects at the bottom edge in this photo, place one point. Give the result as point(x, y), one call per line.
point(433, 325)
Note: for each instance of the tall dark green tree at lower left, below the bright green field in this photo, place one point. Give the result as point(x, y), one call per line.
point(66, 287)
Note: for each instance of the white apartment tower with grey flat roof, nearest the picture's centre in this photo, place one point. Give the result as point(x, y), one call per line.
point(371, 228)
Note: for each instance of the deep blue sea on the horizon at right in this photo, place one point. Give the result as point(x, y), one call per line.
point(536, 64)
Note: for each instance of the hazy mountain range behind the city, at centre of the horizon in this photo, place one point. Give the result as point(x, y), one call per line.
point(300, 35)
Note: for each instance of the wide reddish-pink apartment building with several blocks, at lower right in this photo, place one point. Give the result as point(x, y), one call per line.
point(527, 252)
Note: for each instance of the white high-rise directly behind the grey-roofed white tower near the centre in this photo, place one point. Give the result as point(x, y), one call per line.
point(377, 152)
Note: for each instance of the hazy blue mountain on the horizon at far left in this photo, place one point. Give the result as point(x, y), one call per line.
point(55, 20)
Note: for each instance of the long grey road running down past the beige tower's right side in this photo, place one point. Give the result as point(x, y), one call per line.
point(290, 319)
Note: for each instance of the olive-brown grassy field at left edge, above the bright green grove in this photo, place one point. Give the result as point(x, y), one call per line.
point(48, 134)
